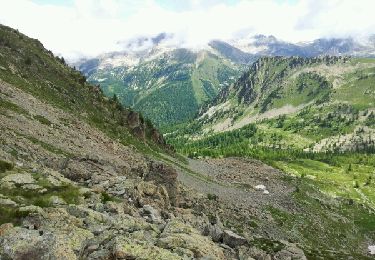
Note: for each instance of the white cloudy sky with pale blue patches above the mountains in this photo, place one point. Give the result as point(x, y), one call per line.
point(89, 27)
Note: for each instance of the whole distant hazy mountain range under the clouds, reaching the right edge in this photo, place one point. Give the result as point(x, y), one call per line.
point(169, 83)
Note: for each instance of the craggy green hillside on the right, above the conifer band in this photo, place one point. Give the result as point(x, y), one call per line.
point(323, 98)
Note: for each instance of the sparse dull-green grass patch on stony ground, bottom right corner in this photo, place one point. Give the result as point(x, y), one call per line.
point(325, 228)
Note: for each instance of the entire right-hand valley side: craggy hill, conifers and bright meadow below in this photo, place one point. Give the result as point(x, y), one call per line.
point(305, 116)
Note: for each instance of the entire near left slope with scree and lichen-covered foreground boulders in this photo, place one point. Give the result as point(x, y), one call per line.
point(79, 176)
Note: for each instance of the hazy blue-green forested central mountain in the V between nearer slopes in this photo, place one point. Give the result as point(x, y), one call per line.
point(168, 87)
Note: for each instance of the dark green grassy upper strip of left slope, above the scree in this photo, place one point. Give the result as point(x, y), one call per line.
point(25, 63)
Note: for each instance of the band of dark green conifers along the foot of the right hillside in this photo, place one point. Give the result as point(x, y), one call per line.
point(244, 142)
